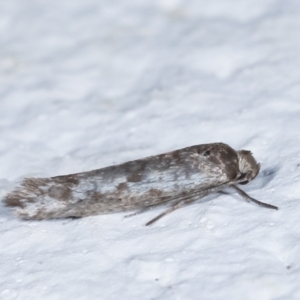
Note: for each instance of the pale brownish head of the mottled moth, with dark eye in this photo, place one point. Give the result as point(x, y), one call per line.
point(248, 166)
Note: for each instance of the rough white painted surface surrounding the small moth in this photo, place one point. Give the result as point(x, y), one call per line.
point(86, 84)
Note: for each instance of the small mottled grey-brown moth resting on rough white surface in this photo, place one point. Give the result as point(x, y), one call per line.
point(174, 179)
